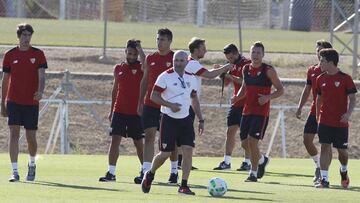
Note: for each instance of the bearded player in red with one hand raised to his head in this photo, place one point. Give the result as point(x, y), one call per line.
point(125, 122)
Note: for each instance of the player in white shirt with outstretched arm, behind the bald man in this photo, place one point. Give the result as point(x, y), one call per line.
point(197, 48)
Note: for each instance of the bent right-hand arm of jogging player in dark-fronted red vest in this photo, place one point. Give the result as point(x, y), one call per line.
point(279, 89)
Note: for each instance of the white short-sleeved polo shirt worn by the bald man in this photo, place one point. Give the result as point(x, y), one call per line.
point(176, 89)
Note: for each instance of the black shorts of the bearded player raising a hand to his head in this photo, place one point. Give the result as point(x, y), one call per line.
point(126, 126)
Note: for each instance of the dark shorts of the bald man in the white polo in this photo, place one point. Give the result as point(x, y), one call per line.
point(176, 132)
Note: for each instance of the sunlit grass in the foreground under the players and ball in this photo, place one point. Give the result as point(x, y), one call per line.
point(74, 178)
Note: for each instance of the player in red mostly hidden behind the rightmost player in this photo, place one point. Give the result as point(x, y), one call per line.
point(311, 125)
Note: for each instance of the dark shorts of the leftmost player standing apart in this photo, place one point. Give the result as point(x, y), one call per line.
point(23, 115)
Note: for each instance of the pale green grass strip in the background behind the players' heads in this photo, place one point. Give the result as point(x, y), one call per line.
point(90, 33)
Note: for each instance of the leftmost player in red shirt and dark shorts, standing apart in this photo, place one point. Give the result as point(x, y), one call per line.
point(23, 85)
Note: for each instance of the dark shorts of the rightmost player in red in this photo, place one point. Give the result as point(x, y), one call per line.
point(334, 135)
